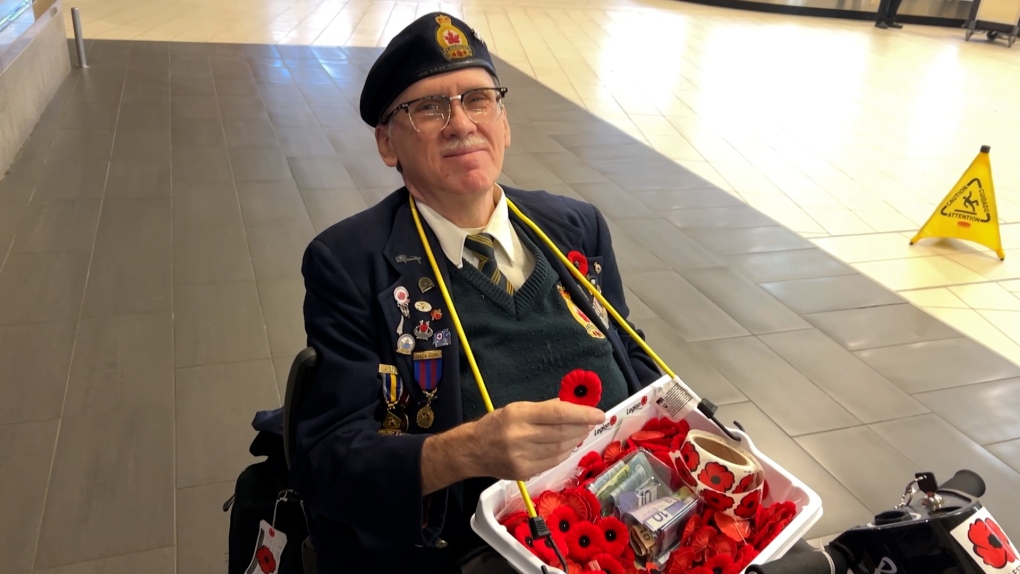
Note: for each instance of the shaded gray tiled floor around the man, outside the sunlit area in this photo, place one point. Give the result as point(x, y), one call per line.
point(151, 302)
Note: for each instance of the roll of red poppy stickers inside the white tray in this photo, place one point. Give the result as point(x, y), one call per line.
point(728, 478)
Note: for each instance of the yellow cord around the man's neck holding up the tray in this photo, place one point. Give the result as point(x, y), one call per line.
point(529, 504)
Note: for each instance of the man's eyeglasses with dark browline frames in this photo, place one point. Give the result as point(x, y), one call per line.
point(432, 114)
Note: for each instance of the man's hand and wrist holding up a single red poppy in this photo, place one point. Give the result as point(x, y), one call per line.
point(515, 443)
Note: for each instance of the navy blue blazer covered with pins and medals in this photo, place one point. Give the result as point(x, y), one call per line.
point(364, 489)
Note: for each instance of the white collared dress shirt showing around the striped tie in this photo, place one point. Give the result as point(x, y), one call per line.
point(515, 260)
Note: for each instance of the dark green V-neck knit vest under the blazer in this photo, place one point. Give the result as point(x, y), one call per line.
point(526, 343)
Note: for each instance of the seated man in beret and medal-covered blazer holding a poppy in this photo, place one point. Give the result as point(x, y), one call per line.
point(395, 444)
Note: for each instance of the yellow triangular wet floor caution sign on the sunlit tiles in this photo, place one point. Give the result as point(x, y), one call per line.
point(968, 213)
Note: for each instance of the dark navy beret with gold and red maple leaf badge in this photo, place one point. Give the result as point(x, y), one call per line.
point(434, 44)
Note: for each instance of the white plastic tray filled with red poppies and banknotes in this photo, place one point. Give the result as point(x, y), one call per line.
point(665, 526)
